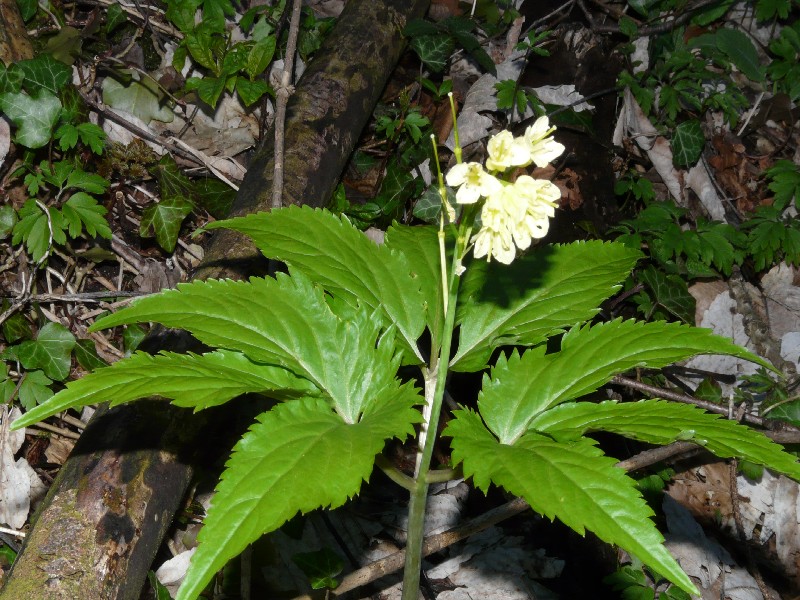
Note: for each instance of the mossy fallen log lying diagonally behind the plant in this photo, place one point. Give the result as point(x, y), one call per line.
point(102, 522)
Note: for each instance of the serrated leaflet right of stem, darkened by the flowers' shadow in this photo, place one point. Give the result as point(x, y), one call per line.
point(536, 296)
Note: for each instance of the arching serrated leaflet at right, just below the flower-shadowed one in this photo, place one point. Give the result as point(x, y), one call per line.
point(522, 387)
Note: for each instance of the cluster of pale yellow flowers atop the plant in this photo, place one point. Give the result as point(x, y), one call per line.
point(513, 213)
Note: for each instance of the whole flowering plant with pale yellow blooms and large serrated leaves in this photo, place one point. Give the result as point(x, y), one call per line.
point(327, 340)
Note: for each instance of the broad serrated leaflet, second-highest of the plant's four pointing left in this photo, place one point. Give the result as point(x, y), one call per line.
point(284, 321)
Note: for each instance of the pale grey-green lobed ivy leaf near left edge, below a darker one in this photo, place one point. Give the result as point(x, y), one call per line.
point(33, 115)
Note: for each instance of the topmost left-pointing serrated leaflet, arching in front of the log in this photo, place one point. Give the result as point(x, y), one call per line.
point(332, 252)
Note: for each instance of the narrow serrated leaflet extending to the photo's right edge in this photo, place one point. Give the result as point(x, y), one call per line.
point(660, 422)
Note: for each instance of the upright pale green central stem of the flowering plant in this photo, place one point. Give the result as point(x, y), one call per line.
point(438, 370)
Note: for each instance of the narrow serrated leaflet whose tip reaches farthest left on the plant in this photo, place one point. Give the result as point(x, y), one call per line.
point(190, 380)
